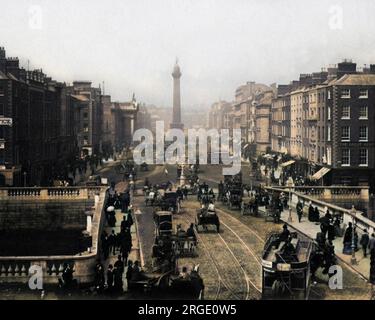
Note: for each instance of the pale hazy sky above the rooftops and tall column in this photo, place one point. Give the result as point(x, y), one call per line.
point(132, 45)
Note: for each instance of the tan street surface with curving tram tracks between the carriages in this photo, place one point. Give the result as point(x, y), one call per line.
point(230, 262)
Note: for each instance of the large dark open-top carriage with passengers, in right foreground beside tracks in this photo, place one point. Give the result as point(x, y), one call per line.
point(286, 267)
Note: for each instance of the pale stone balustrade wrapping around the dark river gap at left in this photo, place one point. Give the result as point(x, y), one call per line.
point(16, 269)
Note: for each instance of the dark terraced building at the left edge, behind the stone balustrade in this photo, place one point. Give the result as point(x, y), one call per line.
point(36, 125)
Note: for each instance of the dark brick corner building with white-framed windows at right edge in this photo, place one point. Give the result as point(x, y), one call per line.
point(351, 133)
